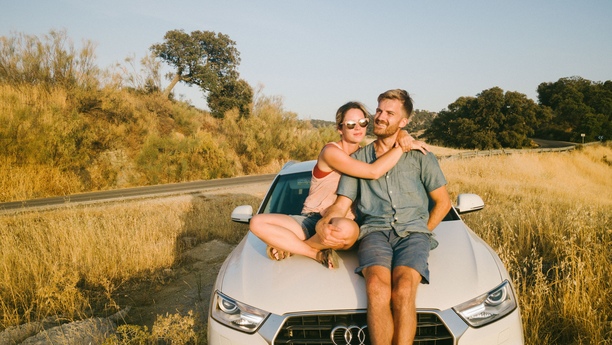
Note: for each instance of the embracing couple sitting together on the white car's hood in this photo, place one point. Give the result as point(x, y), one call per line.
point(390, 190)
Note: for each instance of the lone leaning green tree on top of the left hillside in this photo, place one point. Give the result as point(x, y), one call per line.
point(203, 58)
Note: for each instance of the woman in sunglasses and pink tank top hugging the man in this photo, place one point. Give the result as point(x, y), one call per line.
point(286, 235)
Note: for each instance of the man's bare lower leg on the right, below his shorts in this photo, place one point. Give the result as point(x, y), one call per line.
point(403, 301)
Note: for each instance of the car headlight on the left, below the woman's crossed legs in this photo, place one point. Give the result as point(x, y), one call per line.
point(236, 315)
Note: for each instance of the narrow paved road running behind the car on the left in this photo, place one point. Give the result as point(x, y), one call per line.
point(138, 192)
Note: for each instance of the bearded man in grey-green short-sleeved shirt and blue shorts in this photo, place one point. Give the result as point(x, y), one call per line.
point(395, 235)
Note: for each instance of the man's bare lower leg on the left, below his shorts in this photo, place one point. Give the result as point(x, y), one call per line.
point(380, 319)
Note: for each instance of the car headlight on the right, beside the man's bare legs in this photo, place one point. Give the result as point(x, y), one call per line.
point(488, 307)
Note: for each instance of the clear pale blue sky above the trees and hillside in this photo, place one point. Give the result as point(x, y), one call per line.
point(316, 55)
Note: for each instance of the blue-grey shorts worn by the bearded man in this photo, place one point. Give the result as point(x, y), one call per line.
point(385, 248)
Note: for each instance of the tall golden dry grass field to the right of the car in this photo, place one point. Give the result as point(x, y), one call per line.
point(548, 216)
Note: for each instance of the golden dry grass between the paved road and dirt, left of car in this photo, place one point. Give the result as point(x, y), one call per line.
point(70, 261)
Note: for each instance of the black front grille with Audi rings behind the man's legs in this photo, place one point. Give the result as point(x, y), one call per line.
point(317, 330)
